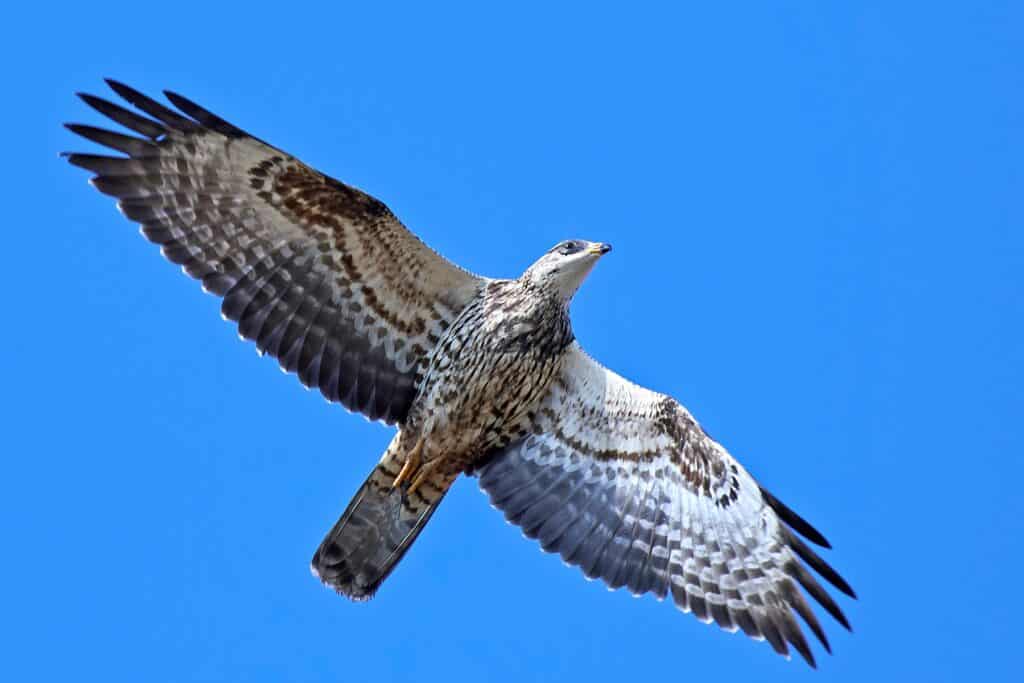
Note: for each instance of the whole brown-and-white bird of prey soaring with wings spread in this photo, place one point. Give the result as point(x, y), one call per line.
point(482, 376)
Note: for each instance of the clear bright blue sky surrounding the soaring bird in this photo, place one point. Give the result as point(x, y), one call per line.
point(818, 218)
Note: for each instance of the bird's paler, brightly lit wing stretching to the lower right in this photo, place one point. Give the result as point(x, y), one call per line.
point(623, 483)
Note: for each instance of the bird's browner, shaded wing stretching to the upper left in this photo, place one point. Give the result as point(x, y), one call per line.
point(320, 275)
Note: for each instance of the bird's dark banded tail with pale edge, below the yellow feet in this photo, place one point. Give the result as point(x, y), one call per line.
point(378, 528)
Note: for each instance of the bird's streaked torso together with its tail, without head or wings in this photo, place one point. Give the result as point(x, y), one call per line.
point(483, 389)
